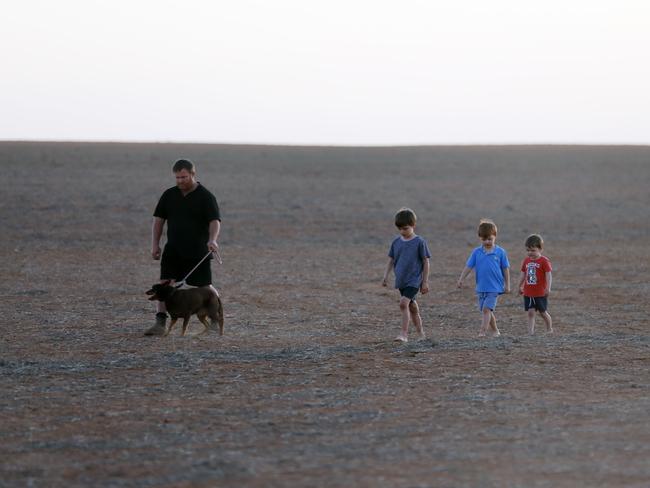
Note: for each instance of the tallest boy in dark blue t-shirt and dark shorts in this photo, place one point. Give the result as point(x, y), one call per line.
point(409, 257)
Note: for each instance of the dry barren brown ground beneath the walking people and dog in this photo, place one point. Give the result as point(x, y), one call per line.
point(306, 387)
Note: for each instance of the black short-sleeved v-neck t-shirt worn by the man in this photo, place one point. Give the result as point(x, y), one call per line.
point(188, 220)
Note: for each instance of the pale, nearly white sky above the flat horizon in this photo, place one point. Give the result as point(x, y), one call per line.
point(349, 72)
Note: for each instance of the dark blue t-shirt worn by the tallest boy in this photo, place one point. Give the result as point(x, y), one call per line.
point(408, 257)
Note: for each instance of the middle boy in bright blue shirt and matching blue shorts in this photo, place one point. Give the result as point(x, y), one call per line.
point(492, 271)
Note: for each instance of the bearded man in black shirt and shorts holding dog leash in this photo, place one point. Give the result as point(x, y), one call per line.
point(193, 225)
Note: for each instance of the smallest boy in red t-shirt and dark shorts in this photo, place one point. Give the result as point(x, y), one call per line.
point(535, 283)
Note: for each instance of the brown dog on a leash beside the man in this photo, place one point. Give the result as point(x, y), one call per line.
point(185, 303)
